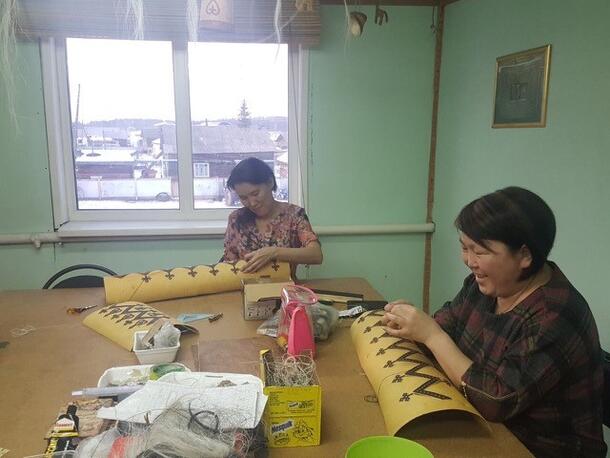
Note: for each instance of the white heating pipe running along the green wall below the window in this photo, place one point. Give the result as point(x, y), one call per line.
point(37, 239)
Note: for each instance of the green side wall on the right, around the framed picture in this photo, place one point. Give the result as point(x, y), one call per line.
point(567, 162)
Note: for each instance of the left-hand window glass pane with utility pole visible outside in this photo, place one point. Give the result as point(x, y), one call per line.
point(123, 124)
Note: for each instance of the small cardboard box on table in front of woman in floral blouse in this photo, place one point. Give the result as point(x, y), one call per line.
point(262, 298)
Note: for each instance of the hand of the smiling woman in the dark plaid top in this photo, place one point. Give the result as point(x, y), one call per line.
point(404, 320)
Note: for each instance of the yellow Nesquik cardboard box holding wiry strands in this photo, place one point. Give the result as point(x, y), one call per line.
point(293, 414)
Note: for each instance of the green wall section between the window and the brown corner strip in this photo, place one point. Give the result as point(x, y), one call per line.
point(369, 131)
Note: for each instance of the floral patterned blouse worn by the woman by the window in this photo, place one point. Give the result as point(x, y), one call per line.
point(289, 229)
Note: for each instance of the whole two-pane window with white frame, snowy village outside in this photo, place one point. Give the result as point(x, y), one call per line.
point(150, 130)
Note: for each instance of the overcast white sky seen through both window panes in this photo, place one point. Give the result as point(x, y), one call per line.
point(133, 79)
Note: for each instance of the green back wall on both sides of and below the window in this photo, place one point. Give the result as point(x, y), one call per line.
point(370, 109)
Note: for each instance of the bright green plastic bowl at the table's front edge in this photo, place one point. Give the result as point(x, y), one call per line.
point(387, 447)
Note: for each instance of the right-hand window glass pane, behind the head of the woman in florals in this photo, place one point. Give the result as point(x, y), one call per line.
point(239, 109)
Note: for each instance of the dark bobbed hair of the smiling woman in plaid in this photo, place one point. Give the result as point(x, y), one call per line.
point(514, 216)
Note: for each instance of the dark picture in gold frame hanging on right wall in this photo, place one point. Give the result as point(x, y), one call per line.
point(522, 81)
